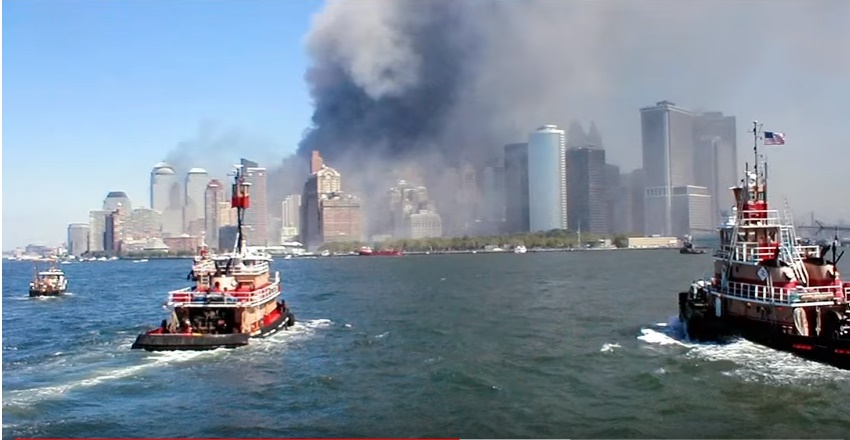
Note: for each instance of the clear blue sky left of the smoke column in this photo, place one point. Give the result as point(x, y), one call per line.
point(96, 92)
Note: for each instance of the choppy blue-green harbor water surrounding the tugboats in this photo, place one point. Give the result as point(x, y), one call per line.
point(567, 345)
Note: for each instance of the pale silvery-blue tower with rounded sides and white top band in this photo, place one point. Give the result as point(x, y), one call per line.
point(547, 179)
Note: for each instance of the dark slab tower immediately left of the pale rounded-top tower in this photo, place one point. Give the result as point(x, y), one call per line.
point(516, 187)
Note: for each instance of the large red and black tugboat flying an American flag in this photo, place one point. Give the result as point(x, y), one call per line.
point(767, 287)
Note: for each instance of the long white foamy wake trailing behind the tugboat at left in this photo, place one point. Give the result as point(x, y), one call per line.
point(153, 360)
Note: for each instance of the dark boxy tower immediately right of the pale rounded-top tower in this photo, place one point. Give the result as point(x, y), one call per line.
point(587, 190)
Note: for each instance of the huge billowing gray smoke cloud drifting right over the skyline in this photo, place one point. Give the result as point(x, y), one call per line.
point(437, 82)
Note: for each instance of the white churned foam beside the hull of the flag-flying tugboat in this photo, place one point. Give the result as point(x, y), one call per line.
point(754, 362)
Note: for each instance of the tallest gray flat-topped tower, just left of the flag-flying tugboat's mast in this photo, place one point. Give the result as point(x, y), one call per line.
point(668, 162)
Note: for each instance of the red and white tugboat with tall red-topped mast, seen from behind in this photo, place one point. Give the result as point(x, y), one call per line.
point(234, 297)
